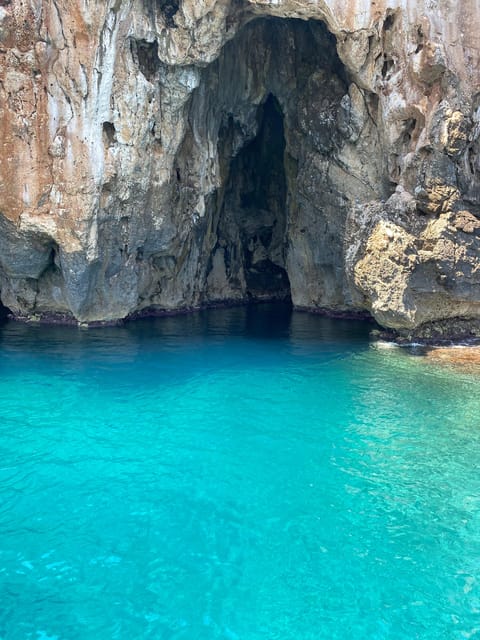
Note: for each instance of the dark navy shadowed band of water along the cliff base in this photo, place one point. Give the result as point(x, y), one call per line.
point(263, 322)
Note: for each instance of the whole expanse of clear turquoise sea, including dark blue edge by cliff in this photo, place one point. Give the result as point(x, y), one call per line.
point(238, 474)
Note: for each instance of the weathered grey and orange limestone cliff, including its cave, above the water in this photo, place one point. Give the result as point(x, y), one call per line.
point(161, 155)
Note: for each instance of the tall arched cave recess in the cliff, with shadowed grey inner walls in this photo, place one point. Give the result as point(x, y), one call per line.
point(271, 128)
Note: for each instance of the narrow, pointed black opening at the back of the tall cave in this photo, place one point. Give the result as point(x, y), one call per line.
point(256, 200)
